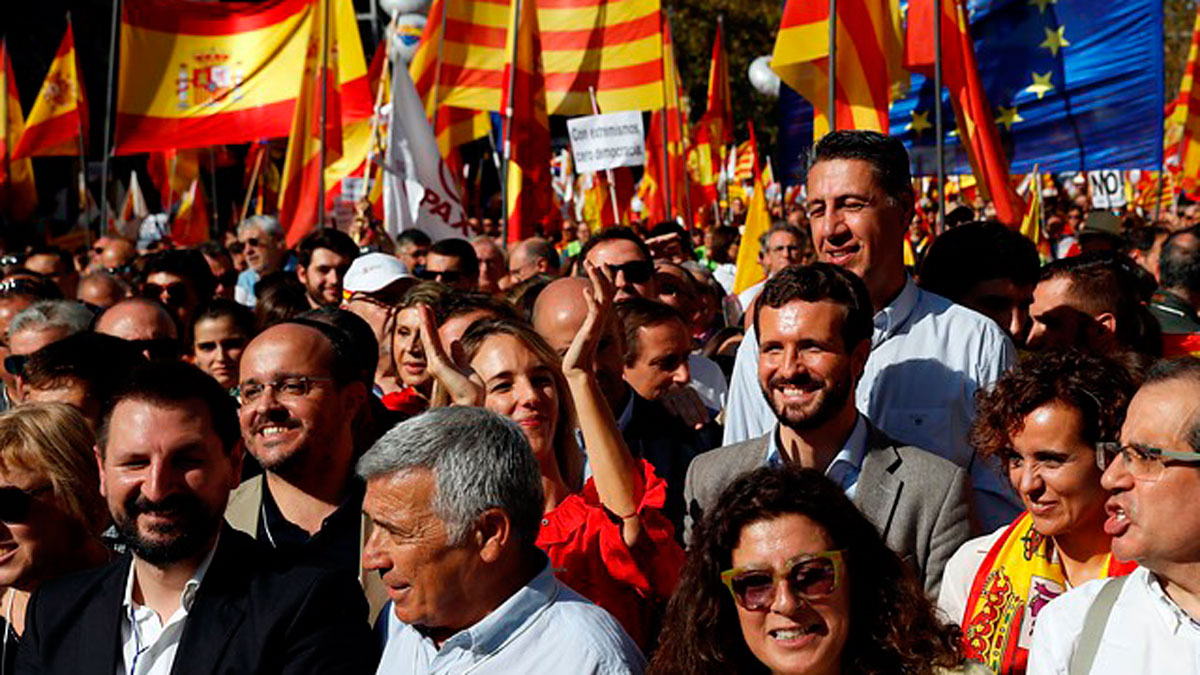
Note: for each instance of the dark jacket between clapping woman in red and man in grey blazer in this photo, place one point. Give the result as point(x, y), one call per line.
point(669, 446)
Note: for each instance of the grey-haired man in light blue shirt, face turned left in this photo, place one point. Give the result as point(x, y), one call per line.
point(455, 497)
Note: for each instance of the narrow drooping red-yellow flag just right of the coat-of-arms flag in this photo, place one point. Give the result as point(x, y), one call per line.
point(303, 172)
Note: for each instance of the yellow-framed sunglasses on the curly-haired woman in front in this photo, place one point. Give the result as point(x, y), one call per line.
point(809, 576)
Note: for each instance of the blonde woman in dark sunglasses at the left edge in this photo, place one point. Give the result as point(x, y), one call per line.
point(51, 509)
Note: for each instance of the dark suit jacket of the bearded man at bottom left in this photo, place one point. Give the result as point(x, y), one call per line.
point(250, 617)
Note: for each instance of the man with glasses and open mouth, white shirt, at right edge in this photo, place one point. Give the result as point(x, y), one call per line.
point(1149, 622)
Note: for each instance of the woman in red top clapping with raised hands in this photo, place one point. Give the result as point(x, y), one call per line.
point(609, 540)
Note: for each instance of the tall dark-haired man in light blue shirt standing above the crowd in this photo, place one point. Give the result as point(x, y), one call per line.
point(928, 355)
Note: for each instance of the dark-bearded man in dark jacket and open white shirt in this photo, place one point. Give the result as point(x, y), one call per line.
point(193, 595)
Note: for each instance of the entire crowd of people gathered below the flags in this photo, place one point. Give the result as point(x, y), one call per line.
point(903, 451)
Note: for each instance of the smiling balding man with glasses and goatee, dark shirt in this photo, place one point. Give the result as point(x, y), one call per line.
point(303, 390)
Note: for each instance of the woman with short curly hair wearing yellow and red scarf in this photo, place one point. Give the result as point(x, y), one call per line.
point(1043, 421)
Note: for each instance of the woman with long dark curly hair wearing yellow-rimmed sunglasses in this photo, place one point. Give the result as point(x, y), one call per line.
point(849, 605)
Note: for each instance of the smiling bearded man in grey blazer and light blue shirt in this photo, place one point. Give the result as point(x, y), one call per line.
point(814, 327)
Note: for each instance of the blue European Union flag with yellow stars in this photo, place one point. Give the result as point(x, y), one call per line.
point(1075, 86)
